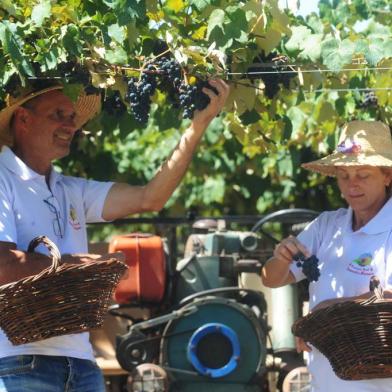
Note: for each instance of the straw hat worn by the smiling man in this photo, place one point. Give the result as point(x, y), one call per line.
point(86, 107)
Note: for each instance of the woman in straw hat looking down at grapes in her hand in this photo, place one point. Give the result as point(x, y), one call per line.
point(351, 244)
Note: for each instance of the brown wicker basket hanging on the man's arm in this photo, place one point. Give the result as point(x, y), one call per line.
point(62, 299)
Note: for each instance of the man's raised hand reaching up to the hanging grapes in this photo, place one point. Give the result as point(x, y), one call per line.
point(203, 117)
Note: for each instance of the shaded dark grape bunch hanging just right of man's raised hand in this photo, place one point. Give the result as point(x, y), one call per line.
point(272, 81)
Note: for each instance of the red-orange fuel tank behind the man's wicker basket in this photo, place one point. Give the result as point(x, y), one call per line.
point(146, 260)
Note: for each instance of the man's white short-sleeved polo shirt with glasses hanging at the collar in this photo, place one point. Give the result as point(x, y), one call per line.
point(28, 208)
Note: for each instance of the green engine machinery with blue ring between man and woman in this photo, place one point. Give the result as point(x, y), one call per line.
point(214, 334)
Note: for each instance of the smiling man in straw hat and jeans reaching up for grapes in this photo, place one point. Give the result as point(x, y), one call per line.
point(36, 200)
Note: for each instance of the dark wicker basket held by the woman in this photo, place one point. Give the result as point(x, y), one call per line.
point(355, 336)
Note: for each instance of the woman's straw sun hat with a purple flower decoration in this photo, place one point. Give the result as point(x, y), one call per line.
point(361, 143)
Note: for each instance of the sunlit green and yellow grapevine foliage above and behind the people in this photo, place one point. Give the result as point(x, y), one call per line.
point(294, 81)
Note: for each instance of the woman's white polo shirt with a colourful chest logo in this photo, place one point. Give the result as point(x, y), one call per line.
point(347, 260)
